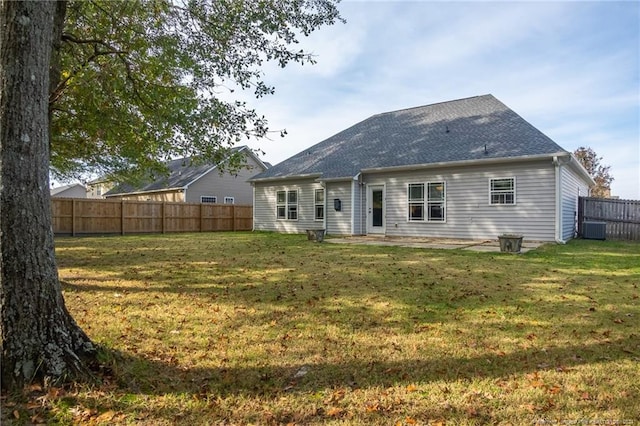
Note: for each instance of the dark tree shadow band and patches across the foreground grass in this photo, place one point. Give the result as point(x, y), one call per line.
point(136, 375)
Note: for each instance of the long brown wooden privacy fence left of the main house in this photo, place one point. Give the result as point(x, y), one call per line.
point(75, 216)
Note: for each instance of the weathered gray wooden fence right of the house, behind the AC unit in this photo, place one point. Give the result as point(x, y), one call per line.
point(621, 216)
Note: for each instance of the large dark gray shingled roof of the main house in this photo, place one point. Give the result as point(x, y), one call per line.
point(440, 133)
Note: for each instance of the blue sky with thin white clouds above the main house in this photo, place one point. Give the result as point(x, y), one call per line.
point(569, 68)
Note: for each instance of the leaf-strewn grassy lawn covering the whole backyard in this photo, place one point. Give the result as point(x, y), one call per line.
point(258, 328)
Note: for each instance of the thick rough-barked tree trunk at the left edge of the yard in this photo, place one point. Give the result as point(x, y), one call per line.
point(40, 340)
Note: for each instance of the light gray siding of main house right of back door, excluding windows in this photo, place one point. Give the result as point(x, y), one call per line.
point(468, 212)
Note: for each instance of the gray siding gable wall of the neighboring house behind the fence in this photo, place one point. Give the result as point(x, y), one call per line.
point(225, 185)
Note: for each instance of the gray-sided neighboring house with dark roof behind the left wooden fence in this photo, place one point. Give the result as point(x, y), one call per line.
point(197, 183)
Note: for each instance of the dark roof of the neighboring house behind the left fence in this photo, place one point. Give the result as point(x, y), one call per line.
point(182, 173)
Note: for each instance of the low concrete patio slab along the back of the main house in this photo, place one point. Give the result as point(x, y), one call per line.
point(432, 243)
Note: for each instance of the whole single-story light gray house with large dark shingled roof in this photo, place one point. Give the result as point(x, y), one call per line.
point(470, 168)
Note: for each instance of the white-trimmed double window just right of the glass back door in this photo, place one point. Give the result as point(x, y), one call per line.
point(426, 201)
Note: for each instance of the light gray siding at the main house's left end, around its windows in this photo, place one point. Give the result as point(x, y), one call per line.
point(264, 208)
